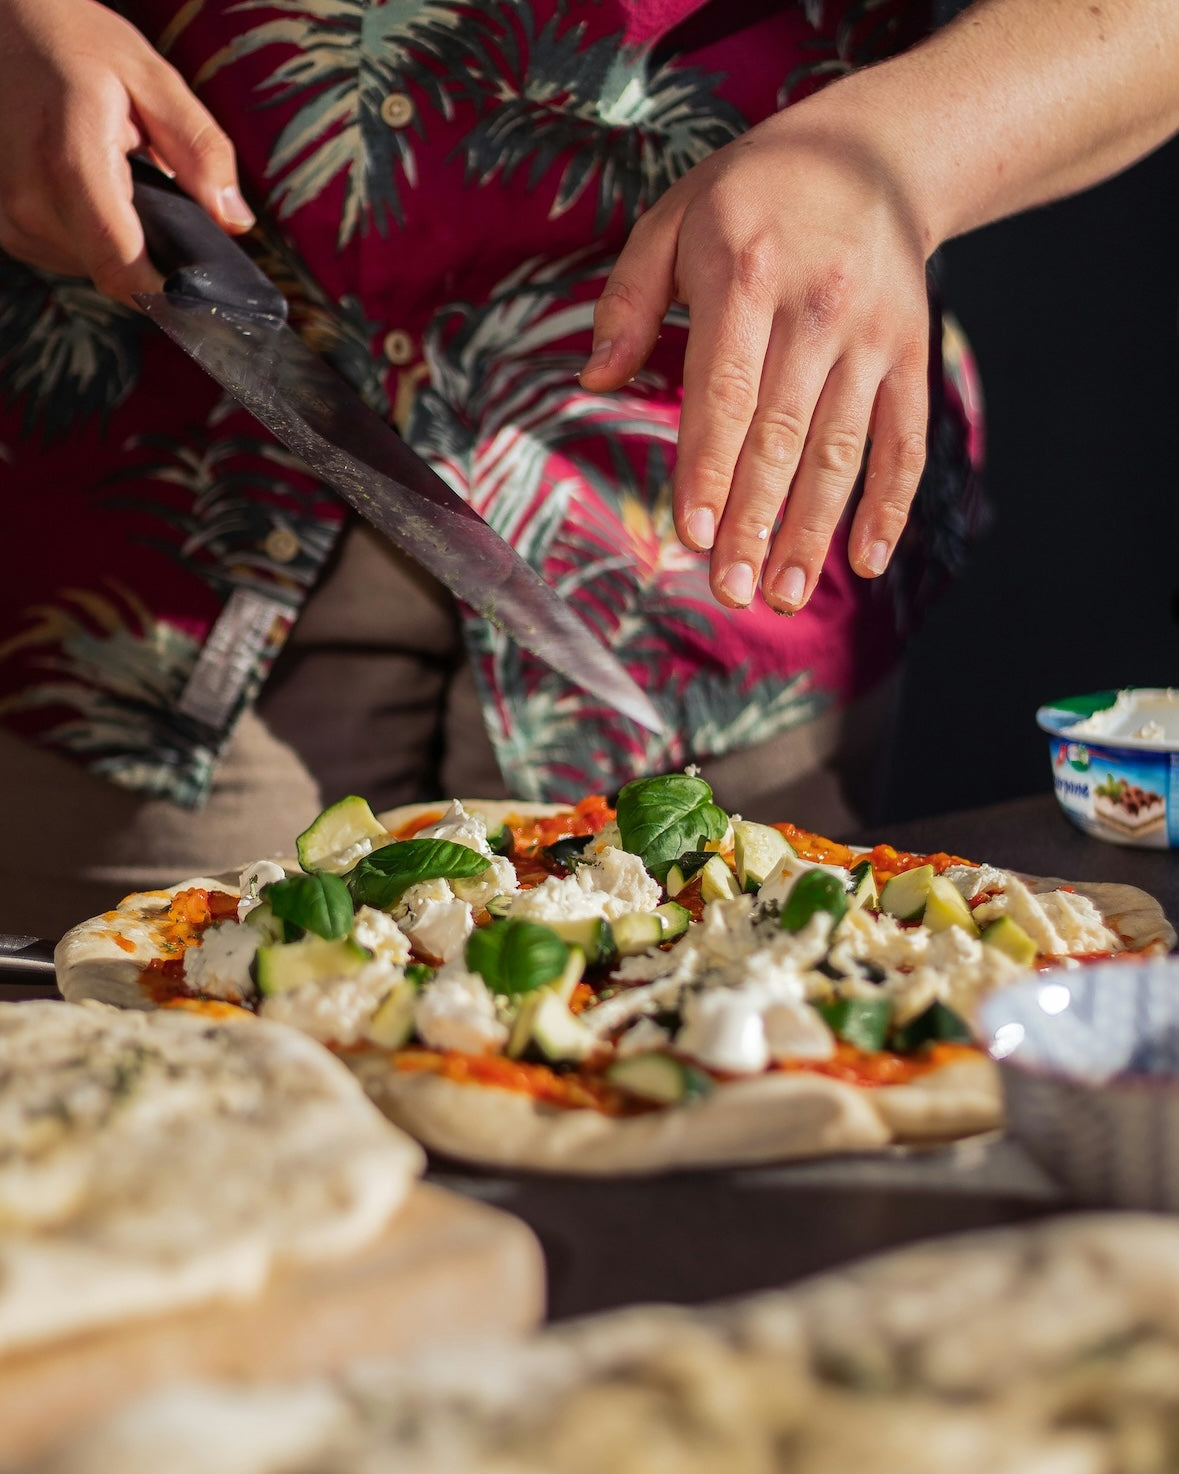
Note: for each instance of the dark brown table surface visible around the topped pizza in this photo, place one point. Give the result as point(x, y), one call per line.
point(704, 1236)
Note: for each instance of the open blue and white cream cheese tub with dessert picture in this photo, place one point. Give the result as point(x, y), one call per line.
point(1116, 764)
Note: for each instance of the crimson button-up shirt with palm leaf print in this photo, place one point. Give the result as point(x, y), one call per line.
point(443, 186)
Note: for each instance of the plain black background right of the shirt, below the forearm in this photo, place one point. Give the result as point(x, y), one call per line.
point(1074, 313)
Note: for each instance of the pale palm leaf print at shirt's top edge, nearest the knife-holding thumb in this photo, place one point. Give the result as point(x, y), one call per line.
point(351, 57)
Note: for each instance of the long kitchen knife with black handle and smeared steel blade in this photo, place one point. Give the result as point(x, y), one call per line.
point(228, 316)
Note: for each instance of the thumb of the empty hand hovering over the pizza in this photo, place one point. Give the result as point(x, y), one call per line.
point(633, 304)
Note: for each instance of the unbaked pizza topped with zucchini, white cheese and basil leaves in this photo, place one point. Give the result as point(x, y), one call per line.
point(618, 988)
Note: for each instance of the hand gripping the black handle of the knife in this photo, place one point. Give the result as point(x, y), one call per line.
point(80, 89)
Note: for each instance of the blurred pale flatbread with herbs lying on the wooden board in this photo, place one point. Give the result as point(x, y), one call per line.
point(153, 1161)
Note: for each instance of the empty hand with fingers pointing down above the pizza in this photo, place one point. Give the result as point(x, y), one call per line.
point(804, 272)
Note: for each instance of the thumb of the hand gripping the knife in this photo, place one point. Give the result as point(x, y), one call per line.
point(188, 141)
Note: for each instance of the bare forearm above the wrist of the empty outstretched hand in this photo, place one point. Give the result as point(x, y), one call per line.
point(1015, 104)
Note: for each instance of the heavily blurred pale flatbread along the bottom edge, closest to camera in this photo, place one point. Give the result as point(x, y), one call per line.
point(1044, 1349)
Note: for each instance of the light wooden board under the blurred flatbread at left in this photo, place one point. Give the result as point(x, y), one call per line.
point(446, 1270)
